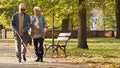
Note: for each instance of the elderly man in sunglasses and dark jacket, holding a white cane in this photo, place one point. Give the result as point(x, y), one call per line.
point(20, 26)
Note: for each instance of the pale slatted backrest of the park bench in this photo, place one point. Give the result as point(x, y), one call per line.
point(63, 37)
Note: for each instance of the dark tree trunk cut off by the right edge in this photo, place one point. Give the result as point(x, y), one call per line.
point(118, 18)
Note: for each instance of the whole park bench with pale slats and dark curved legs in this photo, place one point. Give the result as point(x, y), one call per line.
point(62, 40)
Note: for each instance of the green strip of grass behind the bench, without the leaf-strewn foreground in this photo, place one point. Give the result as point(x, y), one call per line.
point(97, 47)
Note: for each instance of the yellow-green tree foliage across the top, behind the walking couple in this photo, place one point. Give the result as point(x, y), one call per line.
point(61, 9)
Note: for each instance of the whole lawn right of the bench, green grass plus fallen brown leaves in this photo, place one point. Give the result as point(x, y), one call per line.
point(102, 51)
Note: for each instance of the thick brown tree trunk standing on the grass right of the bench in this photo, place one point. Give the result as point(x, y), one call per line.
point(82, 35)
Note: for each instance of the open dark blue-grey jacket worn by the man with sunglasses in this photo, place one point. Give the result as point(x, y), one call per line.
point(15, 23)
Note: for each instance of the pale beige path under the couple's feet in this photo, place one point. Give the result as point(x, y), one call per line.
point(8, 60)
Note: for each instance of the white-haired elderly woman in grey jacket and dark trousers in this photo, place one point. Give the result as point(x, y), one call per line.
point(38, 30)
